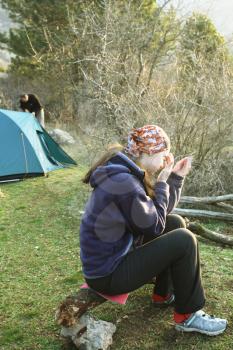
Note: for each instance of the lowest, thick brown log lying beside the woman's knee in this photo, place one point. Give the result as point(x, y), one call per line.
point(213, 236)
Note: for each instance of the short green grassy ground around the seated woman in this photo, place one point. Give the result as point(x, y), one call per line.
point(39, 265)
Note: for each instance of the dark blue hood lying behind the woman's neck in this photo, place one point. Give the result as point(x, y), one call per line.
point(119, 165)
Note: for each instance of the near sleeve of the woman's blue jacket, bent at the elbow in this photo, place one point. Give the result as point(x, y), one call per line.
point(143, 215)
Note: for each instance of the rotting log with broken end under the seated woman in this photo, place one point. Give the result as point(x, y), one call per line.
point(74, 306)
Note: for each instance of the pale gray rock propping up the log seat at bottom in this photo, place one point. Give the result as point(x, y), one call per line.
point(90, 334)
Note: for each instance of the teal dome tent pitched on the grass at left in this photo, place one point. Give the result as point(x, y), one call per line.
point(26, 149)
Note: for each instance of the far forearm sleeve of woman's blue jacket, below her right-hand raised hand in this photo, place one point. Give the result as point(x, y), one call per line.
point(175, 183)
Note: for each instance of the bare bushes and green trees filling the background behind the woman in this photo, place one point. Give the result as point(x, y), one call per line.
point(107, 66)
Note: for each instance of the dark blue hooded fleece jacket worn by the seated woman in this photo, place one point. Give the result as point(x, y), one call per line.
point(119, 211)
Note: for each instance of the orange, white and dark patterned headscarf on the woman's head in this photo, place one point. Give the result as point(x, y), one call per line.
point(148, 139)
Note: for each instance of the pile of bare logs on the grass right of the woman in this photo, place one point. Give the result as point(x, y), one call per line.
point(217, 202)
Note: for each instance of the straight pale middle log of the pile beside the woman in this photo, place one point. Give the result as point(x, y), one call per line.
point(203, 214)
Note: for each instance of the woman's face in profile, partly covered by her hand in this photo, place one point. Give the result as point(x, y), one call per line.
point(155, 162)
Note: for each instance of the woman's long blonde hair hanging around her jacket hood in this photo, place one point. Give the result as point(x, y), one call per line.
point(111, 152)
